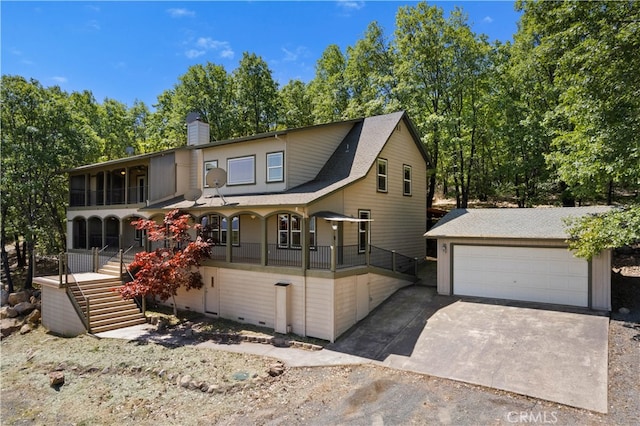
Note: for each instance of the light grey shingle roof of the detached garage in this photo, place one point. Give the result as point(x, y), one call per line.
point(530, 223)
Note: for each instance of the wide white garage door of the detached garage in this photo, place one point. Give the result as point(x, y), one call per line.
point(547, 275)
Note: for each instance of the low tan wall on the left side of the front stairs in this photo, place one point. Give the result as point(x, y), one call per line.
point(58, 314)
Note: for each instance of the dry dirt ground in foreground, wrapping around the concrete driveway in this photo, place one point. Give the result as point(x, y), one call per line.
point(117, 382)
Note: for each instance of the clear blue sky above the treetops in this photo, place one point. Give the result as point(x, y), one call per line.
point(136, 50)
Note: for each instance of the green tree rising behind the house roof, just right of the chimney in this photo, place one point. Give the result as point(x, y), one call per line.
point(256, 96)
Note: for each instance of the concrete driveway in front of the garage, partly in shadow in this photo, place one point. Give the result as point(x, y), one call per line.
point(528, 349)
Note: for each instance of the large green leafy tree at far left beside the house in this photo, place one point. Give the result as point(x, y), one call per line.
point(40, 138)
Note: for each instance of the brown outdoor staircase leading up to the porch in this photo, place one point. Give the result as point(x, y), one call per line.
point(108, 310)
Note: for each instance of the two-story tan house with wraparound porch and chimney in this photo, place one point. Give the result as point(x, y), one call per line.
point(311, 227)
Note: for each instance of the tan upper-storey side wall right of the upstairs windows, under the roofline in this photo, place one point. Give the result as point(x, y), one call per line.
point(308, 151)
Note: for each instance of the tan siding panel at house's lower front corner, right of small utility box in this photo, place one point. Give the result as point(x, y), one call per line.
point(319, 308)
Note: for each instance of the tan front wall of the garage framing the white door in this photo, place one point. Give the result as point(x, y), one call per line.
point(600, 266)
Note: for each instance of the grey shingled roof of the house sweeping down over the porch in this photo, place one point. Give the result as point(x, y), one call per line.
point(350, 162)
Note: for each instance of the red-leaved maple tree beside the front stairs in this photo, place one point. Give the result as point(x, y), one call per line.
point(163, 271)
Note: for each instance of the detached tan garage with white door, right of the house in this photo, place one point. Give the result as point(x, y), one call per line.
point(519, 254)
